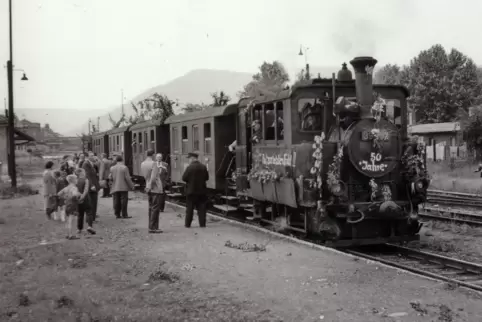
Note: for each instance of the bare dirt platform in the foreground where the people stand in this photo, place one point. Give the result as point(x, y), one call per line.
point(125, 274)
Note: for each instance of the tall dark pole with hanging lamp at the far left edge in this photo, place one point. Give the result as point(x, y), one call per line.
point(11, 130)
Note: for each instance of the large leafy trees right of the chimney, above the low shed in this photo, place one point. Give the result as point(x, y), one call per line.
point(440, 83)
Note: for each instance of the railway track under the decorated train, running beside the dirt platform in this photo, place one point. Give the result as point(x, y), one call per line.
point(438, 267)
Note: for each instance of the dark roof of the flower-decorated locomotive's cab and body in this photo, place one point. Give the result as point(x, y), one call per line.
point(316, 83)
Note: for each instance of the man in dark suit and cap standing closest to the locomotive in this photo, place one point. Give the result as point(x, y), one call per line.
point(195, 176)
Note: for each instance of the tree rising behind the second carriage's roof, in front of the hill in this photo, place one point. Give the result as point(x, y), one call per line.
point(156, 107)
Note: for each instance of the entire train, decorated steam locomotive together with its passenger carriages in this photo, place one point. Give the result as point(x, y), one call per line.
point(329, 158)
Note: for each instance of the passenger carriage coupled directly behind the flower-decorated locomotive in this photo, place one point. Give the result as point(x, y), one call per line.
point(208, 132)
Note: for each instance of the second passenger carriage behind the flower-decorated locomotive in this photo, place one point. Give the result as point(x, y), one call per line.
point(148, 135)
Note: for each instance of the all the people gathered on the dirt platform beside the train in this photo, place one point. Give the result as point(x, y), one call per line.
point(72, 190)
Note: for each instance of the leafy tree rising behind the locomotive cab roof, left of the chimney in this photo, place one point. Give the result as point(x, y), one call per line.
point(271, 79)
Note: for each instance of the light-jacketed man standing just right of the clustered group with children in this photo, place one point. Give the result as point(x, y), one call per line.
point(121, 184)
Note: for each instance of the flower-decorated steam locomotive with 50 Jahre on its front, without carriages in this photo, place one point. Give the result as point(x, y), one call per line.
point(332, 159)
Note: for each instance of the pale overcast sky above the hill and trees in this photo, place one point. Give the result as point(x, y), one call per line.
point(80, 53)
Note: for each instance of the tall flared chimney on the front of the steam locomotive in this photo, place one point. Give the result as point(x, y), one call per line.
point(364, 83)
